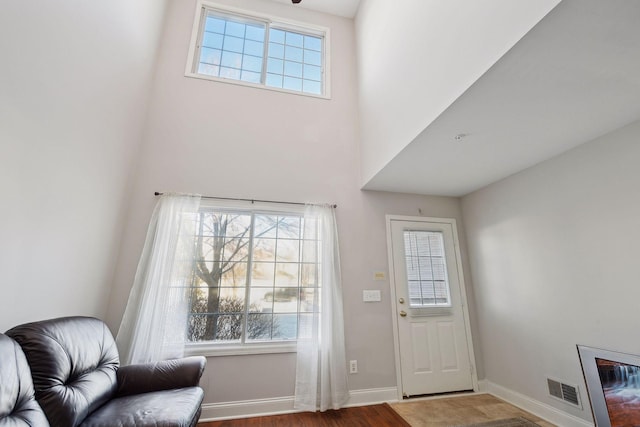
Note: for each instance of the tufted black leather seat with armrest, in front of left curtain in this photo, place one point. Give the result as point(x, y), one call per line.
point(78, 381)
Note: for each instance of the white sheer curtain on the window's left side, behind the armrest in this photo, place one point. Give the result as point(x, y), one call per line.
point(154, 323)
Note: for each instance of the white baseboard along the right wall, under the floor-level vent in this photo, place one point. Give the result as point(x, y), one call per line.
point(542, 410)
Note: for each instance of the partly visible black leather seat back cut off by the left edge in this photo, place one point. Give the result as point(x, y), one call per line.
point(18, 406)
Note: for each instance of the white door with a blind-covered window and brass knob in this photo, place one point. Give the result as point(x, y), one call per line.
point(433, 340)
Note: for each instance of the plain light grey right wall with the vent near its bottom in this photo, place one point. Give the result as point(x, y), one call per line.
point(554, 260)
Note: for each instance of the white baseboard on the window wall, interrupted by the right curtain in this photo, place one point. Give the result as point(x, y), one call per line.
point(284, 405)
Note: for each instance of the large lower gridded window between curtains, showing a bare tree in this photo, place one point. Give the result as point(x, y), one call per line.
point(254, 276)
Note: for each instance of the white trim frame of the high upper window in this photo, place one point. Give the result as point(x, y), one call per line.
point(271, 22)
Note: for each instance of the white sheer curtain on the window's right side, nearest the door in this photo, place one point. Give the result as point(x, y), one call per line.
point(321, 370)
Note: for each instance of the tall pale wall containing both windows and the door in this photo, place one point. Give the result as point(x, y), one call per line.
point(227, 140)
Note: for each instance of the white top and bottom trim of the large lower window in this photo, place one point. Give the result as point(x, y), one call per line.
point(214, 349)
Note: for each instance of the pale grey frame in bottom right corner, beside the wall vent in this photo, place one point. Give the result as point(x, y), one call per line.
point(595, 390)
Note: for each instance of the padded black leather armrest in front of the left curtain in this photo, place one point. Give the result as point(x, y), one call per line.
point(164, 375)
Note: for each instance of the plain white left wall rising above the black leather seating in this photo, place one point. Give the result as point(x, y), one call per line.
point(74, 78)
